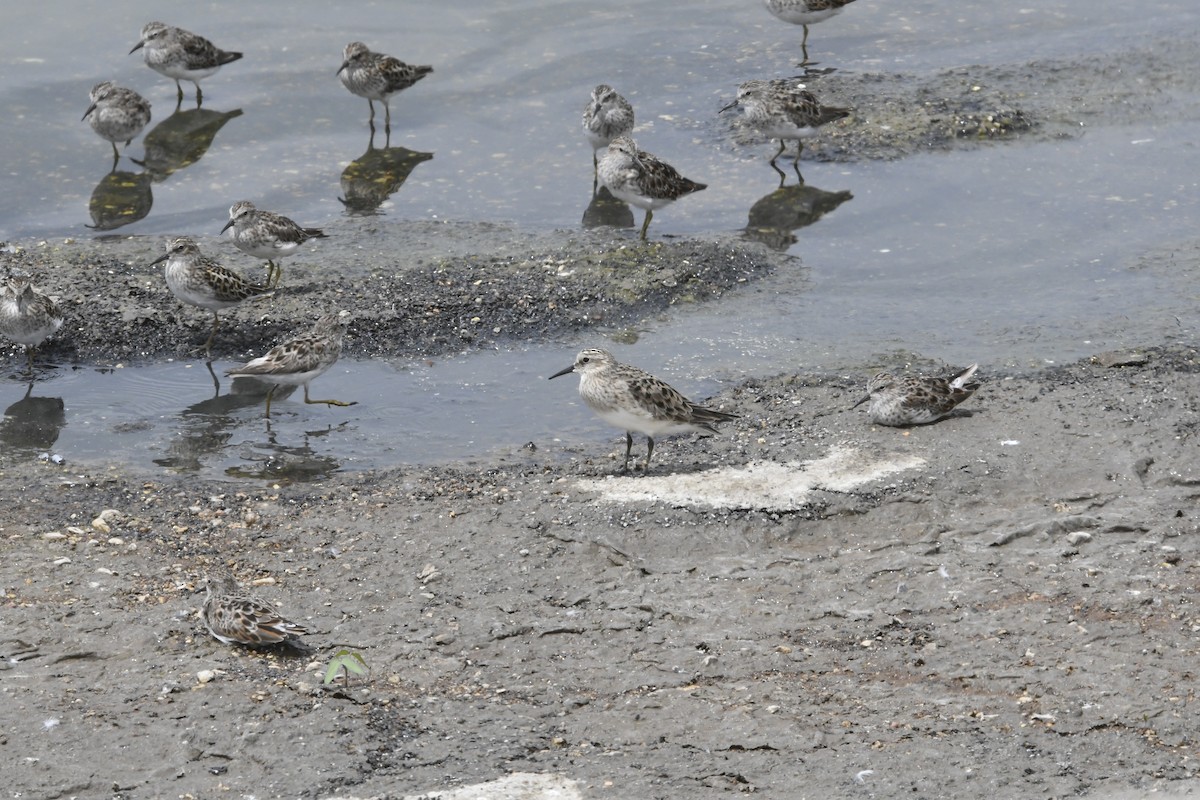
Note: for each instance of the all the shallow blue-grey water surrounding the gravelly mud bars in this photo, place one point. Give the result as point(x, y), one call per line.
point(1015, 254)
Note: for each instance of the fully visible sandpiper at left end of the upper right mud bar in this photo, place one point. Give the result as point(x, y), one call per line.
point(783, 110)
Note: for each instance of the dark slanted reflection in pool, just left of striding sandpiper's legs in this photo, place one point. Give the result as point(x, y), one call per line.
point(209, 425)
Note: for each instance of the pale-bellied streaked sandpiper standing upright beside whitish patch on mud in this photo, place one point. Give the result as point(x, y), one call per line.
point(633, 400)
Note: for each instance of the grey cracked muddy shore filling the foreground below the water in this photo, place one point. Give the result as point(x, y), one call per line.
point(1013, 611)
